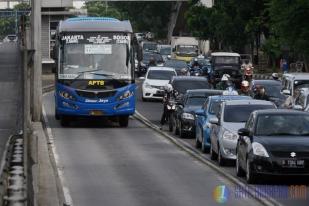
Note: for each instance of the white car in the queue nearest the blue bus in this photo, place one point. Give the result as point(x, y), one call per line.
point(155, 80)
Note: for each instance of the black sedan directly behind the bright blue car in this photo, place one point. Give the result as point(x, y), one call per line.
point(185, 116)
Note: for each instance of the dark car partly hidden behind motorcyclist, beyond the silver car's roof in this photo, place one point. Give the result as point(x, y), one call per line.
point(273, 90)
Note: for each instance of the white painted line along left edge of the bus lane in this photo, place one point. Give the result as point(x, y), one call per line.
point(66, 192)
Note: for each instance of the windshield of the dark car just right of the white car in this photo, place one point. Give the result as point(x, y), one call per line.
point(183, 85)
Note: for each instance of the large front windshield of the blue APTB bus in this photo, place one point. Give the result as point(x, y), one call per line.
point(99, 59)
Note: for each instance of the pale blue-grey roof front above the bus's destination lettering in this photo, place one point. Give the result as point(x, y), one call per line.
point(94, 24)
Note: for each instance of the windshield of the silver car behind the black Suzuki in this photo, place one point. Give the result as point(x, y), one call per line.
point(241, 113)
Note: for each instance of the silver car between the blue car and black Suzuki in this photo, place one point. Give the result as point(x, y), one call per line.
point(232, 116)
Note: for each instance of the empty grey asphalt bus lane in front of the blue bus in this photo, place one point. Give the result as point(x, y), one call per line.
point(107, 165)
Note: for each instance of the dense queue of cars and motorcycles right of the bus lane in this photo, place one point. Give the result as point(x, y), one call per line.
point(235, 118)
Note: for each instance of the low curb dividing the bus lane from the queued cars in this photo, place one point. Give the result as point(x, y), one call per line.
point(194, 153)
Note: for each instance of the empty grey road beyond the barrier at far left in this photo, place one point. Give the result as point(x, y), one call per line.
point(10, 95)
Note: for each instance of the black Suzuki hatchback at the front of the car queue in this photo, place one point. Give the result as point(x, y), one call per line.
point(273, 142)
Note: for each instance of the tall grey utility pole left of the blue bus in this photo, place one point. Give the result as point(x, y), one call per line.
point(37, 60)
